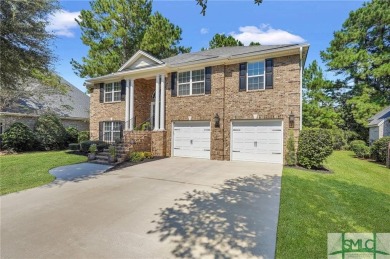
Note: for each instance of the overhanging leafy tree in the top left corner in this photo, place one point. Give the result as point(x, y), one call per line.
point(25, 42)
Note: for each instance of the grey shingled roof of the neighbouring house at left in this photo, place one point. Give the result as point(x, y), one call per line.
point(72, 104)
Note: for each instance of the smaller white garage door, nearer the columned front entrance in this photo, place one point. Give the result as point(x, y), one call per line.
point(191, 139)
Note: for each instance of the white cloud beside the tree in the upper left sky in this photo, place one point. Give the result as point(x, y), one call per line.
point(62, 23)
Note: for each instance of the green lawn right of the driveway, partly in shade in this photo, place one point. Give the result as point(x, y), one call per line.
point(355, 198)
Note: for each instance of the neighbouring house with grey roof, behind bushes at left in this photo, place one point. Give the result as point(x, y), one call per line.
point(72, 107)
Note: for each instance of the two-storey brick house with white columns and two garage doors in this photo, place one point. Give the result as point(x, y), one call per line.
point(231, 103)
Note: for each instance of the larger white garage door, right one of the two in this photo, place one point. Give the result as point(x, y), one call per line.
point(259, 141)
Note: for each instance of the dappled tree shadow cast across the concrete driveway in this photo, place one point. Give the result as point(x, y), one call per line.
point(239, 219)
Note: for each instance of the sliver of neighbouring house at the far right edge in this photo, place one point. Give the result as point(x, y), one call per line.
point(379, 125)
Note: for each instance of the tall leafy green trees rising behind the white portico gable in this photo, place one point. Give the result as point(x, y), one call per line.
point(115, 30)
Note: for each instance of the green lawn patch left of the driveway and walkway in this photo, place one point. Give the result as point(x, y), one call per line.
point(28, 170)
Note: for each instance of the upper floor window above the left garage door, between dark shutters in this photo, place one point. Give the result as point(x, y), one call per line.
point(191, 82)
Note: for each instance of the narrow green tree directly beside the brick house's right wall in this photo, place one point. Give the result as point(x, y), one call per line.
point(318, 100)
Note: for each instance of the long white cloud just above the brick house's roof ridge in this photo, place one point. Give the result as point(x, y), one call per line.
point(266, 35)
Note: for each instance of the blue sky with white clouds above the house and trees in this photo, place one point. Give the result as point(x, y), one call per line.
point(273, 22)
